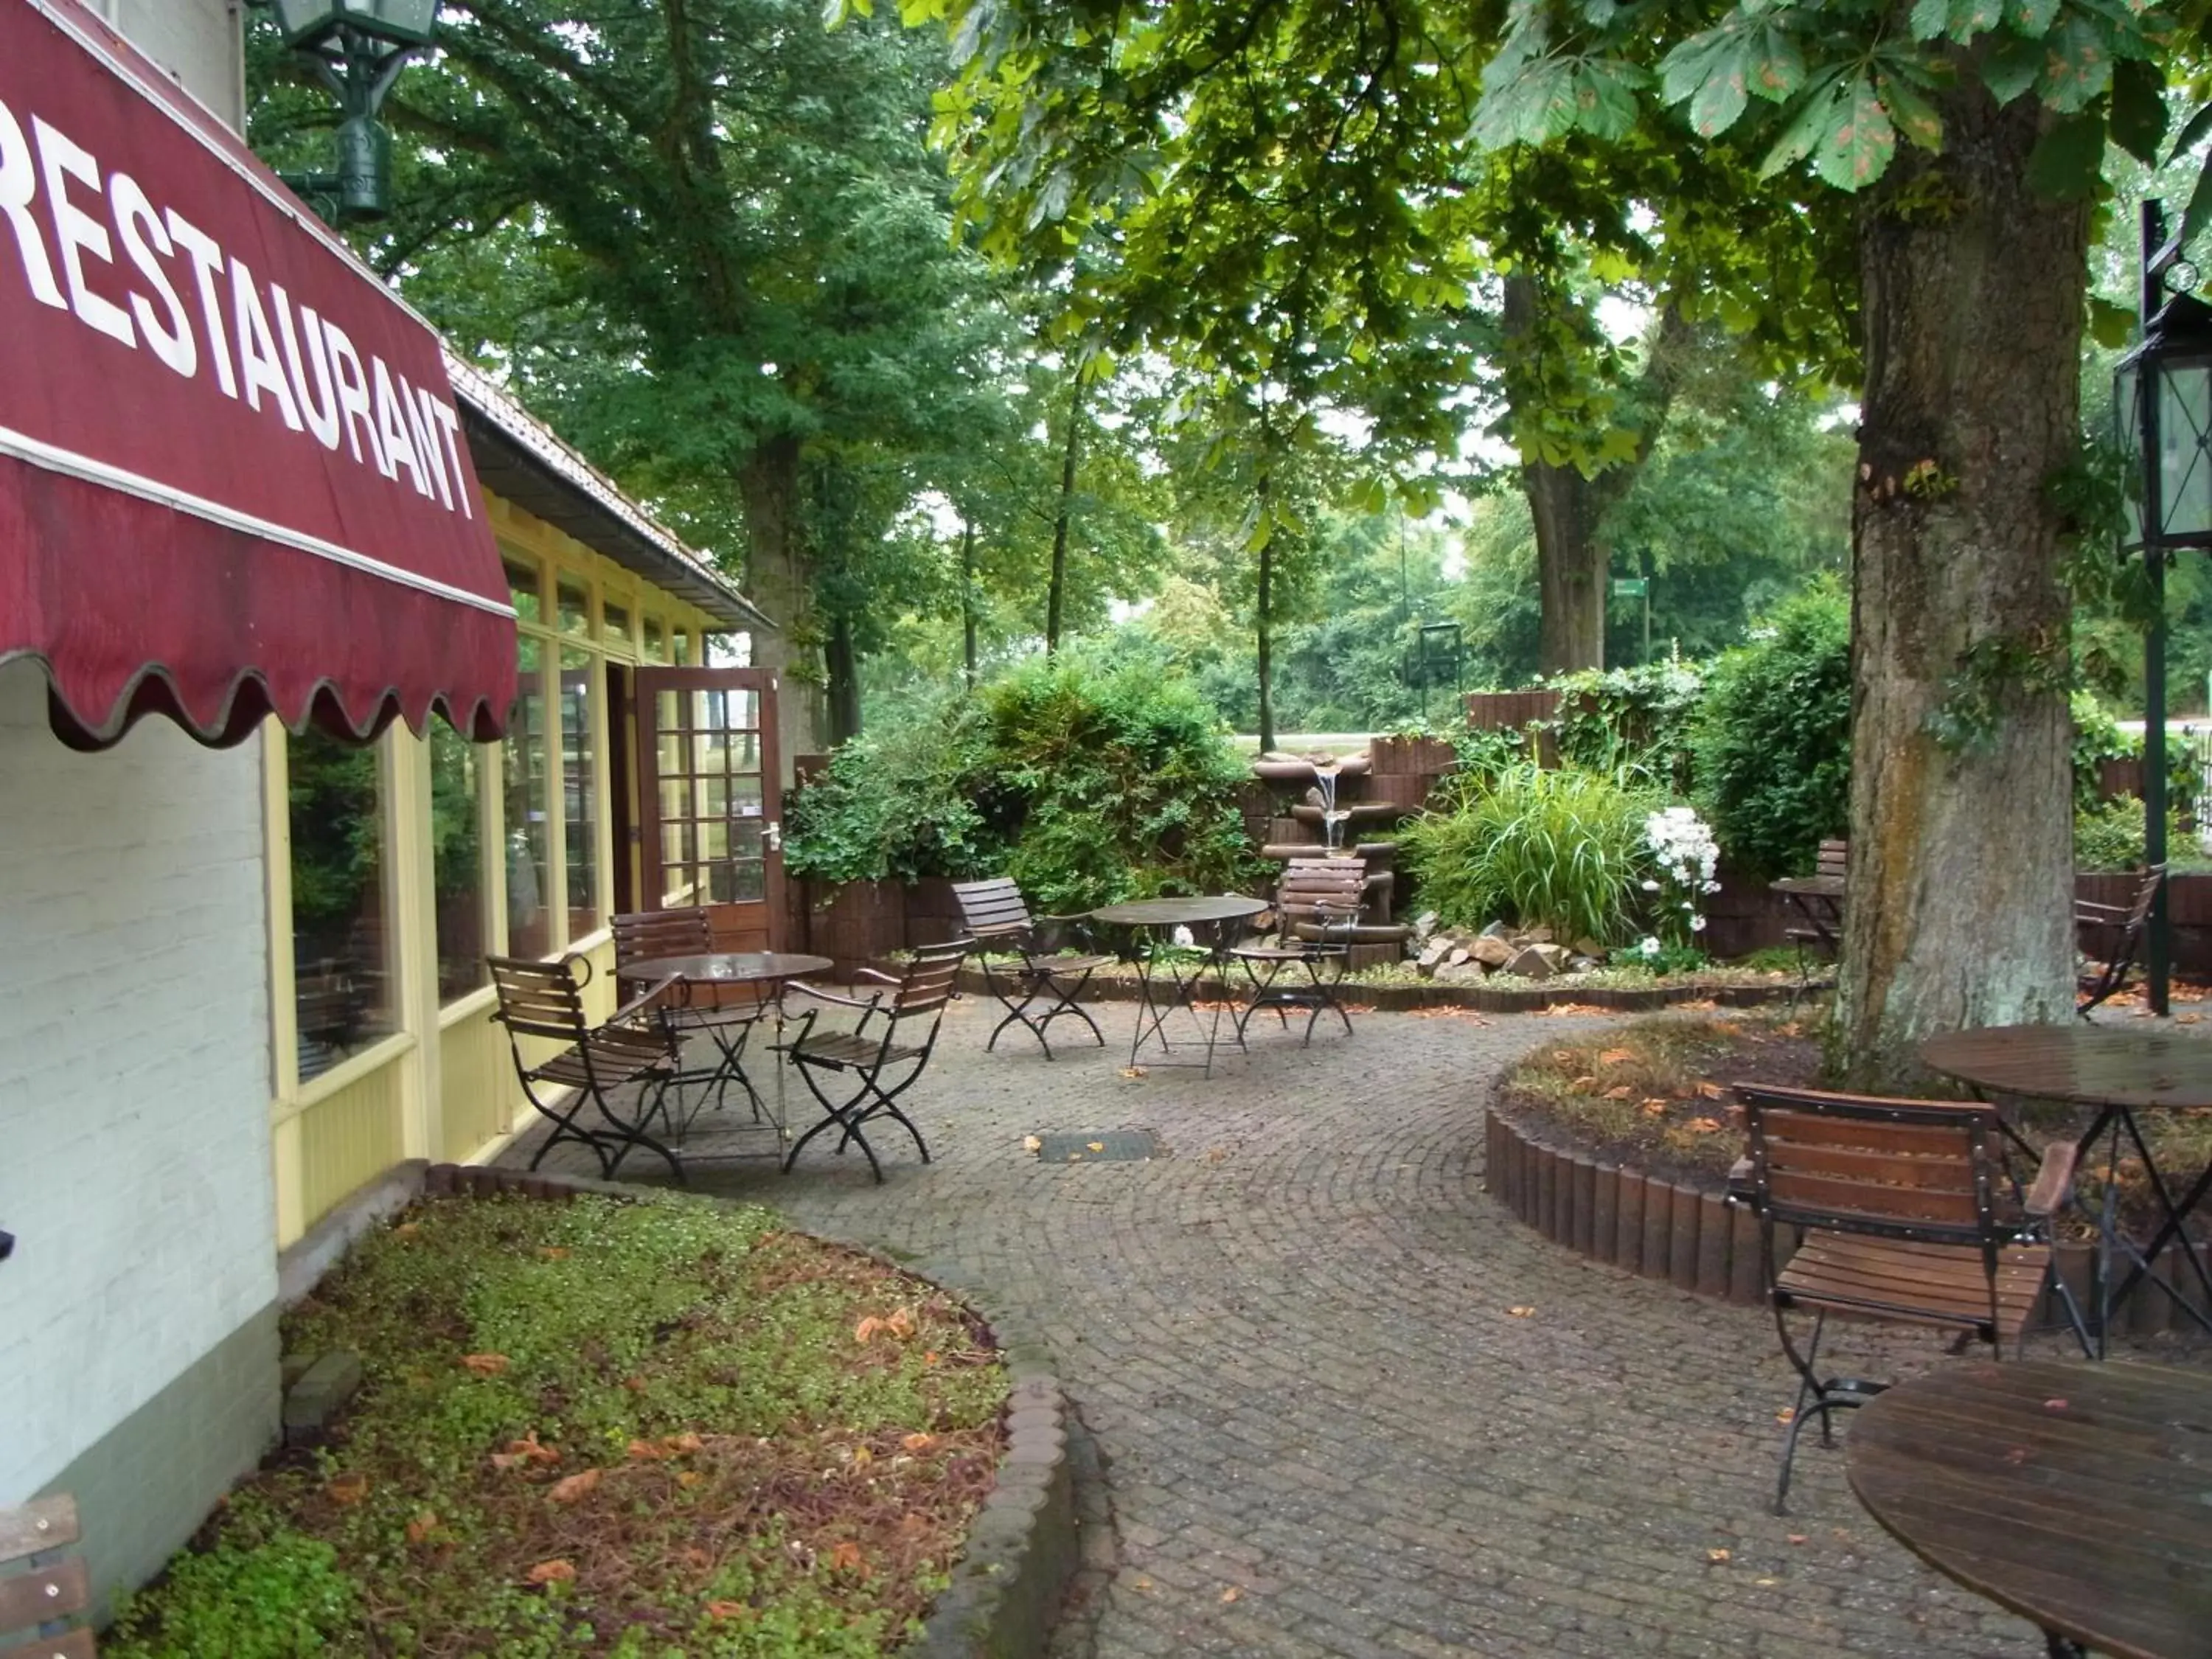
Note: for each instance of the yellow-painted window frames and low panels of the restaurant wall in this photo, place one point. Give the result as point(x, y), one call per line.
point(446, 1085)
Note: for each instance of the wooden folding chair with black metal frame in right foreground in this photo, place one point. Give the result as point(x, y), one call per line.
point(1906, 1215)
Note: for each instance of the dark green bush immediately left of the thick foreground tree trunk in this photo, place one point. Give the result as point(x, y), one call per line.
point(1775, 735)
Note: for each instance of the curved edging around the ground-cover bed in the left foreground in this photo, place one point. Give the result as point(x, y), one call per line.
point(1021, 1547)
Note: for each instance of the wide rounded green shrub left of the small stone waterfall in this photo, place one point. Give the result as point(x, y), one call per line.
point(1087, 784)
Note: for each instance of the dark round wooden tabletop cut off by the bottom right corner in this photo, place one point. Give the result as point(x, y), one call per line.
point(2078, 1496)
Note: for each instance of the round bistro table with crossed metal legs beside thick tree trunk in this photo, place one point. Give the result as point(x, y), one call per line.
point(2118, 1074)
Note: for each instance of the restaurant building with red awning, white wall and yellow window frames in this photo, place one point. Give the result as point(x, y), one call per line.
point(324, 674)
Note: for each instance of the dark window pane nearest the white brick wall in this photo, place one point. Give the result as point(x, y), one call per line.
point(342, 977)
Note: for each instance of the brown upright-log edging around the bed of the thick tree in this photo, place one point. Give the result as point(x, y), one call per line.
point(1693, 1240)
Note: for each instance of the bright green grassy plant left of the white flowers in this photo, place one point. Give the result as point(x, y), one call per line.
point(1558, 848)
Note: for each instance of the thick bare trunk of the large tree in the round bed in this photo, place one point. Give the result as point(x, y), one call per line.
point(1961, 851)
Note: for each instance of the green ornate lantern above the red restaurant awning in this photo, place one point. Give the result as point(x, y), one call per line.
point(357, 50)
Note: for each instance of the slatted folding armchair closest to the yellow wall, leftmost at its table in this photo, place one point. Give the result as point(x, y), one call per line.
point(634, 1050)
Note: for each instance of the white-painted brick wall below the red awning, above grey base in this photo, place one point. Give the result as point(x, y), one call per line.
point(134, 1074)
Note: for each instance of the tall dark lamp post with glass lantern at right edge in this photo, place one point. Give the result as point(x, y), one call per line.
point(2162, 399)
